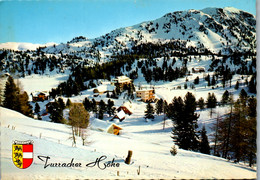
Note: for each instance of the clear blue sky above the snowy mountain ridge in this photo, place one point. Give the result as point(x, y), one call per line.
point(44, 21)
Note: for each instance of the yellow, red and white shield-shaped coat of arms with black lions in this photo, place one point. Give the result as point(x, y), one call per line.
point(22, 154)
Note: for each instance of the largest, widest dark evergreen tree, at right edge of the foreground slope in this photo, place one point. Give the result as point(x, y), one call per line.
point(185, 122)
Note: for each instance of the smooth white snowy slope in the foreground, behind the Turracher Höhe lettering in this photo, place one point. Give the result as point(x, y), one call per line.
point(150, 145)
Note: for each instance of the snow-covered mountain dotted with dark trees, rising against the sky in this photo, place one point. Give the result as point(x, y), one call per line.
point(212, 28)
